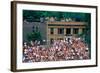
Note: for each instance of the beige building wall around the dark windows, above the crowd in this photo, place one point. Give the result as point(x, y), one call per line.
point(55, 36)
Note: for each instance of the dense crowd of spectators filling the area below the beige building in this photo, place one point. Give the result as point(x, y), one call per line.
point(59, 50)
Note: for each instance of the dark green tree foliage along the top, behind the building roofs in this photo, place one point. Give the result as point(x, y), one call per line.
point(31, 15)
